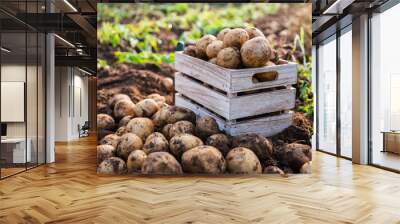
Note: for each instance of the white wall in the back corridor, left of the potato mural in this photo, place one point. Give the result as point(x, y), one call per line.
point(71, 107)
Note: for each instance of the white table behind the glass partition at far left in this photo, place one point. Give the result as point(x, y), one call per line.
point(18, 149)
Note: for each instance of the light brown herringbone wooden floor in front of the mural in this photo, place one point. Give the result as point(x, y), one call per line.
point(70, 191)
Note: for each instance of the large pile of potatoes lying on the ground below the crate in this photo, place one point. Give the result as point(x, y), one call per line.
point(151, 137)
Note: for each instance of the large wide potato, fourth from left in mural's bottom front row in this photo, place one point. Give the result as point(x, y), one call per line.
point(203, 159)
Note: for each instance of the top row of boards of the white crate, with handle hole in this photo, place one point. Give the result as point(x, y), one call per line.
point(234, 80)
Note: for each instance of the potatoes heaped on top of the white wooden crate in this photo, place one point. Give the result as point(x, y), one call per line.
point(235, 48)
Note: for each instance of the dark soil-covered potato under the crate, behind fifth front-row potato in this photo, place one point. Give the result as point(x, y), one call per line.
point(260, 145)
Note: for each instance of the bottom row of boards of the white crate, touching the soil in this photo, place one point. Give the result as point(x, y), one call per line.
point(266, 125)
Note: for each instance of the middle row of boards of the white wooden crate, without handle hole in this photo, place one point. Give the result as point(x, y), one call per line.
point(238, 105)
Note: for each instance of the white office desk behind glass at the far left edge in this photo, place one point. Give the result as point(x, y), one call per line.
point(13, 150)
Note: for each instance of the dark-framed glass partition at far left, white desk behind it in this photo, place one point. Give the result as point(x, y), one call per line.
point(22, 88)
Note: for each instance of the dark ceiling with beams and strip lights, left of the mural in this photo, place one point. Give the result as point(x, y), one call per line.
point(74, 22)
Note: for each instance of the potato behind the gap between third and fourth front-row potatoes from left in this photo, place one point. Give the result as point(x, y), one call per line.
point(182, 143)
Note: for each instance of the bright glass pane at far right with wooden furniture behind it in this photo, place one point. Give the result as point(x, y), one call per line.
point(385, 89)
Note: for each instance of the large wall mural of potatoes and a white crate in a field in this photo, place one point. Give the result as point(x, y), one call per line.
point(204, 89)
